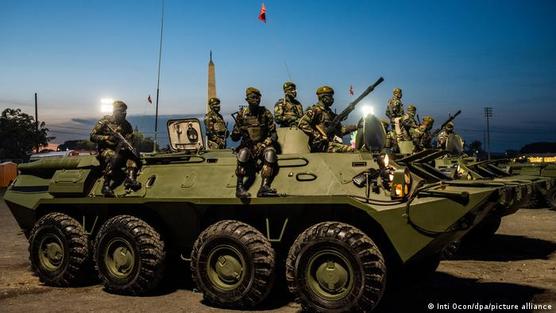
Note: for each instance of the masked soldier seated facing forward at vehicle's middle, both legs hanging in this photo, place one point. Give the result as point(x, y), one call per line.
point(257, 131)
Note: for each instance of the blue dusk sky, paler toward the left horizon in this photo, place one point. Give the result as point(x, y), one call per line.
point(445, 55)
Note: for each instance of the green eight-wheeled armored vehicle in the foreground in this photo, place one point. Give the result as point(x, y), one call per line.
point(344, 224)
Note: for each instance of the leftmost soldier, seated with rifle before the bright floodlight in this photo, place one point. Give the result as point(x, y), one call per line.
point(112, 154)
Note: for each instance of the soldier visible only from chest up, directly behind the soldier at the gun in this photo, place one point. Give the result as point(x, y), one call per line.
point(288, 111)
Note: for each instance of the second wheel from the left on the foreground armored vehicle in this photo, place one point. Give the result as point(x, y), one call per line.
point(130, 255)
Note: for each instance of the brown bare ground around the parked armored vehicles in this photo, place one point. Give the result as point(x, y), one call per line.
point(516, 267)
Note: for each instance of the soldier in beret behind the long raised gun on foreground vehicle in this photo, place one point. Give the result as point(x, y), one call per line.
point(316, 120)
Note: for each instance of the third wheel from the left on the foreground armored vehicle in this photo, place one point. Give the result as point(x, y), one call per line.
point(233, 264)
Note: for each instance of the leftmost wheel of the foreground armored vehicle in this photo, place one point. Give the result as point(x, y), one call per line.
point(58, 250)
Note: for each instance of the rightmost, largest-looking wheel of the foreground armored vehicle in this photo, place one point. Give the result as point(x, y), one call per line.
point(335, 267)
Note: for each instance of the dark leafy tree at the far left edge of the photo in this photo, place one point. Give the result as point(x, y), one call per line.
point(18, 134)
